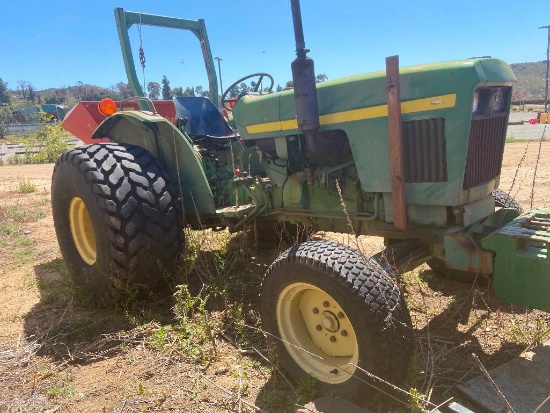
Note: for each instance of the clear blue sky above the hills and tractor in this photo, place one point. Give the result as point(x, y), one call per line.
point(57, 43)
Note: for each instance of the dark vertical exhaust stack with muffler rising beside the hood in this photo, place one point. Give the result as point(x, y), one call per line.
point(303, 77)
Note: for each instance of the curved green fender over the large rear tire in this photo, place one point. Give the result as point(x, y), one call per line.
point(171, 147)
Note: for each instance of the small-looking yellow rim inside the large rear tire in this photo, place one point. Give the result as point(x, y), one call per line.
point(82, 231)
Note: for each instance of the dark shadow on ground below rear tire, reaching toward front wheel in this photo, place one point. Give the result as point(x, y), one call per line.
point(67, 325)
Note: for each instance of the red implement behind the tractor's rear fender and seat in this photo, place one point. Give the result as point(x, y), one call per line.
point(84, 118)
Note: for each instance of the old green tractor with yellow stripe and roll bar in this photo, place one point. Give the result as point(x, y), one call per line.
point(411, 155)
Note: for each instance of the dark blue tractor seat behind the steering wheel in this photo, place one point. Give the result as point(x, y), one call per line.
point(199, 117)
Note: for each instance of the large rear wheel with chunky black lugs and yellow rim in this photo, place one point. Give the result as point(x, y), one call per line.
point(118, 220)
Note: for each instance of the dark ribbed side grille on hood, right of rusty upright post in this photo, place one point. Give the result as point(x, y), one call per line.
point(424, 154)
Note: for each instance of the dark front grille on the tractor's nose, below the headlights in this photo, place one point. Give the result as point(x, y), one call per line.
point(485, 150)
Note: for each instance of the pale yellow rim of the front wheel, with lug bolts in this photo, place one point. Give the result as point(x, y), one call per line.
point(317, 333)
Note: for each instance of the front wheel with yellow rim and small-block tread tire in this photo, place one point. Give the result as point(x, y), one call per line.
point(332, 313)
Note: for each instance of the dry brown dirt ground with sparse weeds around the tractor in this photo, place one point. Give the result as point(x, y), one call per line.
point(60, 354)
